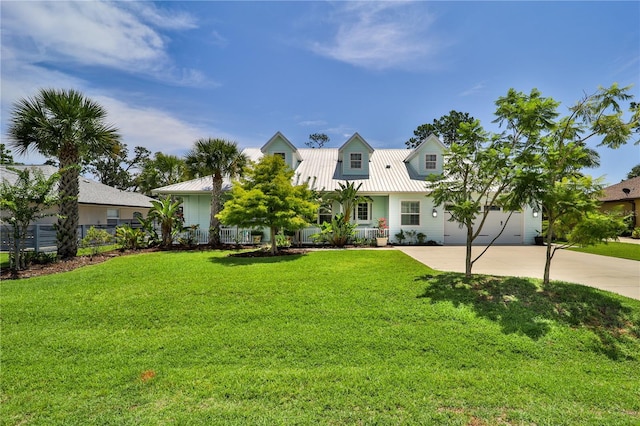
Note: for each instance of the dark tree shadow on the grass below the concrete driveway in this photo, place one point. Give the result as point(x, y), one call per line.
point(522, 305)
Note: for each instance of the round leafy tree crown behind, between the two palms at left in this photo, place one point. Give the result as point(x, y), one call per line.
point(159, 171)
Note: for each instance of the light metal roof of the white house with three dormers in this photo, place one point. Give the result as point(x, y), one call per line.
point(388, 173)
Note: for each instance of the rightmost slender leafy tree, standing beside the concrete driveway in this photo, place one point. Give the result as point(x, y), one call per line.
point(552, 178)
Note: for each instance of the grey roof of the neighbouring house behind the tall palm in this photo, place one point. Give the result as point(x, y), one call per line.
point(91, 192)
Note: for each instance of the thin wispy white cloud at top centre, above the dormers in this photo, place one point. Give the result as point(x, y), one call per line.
point(382, 35)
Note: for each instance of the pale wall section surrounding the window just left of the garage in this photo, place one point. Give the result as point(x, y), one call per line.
point(432, 227)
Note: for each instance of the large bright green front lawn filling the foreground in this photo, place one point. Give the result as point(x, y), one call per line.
point(332, 337)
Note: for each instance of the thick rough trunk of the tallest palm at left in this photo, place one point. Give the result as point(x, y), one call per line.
point(67, 230)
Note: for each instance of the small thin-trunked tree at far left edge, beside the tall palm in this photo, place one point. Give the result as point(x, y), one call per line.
point(28, 199)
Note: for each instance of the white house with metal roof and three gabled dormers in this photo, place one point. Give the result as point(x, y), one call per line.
point(392, 179)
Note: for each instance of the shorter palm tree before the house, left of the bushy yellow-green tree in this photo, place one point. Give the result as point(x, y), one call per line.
point(216, 158)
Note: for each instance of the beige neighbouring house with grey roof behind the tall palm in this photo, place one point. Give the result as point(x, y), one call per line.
point(98, 204)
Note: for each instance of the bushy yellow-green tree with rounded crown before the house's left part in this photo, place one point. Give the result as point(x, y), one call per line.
point(266, 197)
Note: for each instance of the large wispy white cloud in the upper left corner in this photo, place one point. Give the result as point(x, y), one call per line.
point(119, 35)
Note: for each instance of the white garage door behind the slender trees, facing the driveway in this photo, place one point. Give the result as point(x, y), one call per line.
point(512, 234)
